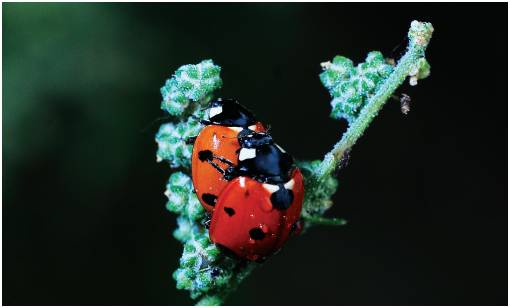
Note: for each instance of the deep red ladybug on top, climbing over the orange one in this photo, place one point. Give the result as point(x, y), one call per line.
point(260, 207)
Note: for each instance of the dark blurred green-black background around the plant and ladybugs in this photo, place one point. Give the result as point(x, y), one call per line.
point(84, 219)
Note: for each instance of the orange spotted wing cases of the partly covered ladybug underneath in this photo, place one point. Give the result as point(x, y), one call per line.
point(222, 142)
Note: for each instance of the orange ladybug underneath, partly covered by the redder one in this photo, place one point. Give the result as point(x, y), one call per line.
point(216, 146)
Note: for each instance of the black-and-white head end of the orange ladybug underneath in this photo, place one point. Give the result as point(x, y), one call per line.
point(228, 112)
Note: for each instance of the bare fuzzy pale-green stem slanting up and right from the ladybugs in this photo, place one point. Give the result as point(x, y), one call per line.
point(419, 37)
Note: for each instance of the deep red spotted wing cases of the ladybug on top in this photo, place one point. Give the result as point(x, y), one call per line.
point(246, 223)
